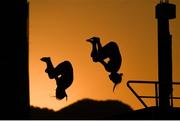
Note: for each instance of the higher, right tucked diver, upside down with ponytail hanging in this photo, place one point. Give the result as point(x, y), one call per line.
point(109, 51)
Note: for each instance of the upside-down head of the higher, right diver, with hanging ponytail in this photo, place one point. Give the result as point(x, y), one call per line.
point(116, 78)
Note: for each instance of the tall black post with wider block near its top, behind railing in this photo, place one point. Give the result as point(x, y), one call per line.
point(164, 12)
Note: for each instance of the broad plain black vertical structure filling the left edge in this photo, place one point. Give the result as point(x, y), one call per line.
point(14, 78)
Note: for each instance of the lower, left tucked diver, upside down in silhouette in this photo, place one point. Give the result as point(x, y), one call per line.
point(62, 73)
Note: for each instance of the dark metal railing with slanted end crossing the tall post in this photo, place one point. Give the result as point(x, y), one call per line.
point(156, 91)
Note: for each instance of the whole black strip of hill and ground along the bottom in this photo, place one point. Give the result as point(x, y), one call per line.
point(90, 109)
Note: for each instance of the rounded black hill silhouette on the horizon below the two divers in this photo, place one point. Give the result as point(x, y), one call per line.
point(84, 109)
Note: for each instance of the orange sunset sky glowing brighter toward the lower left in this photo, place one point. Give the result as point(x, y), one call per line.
point(59, 28)
